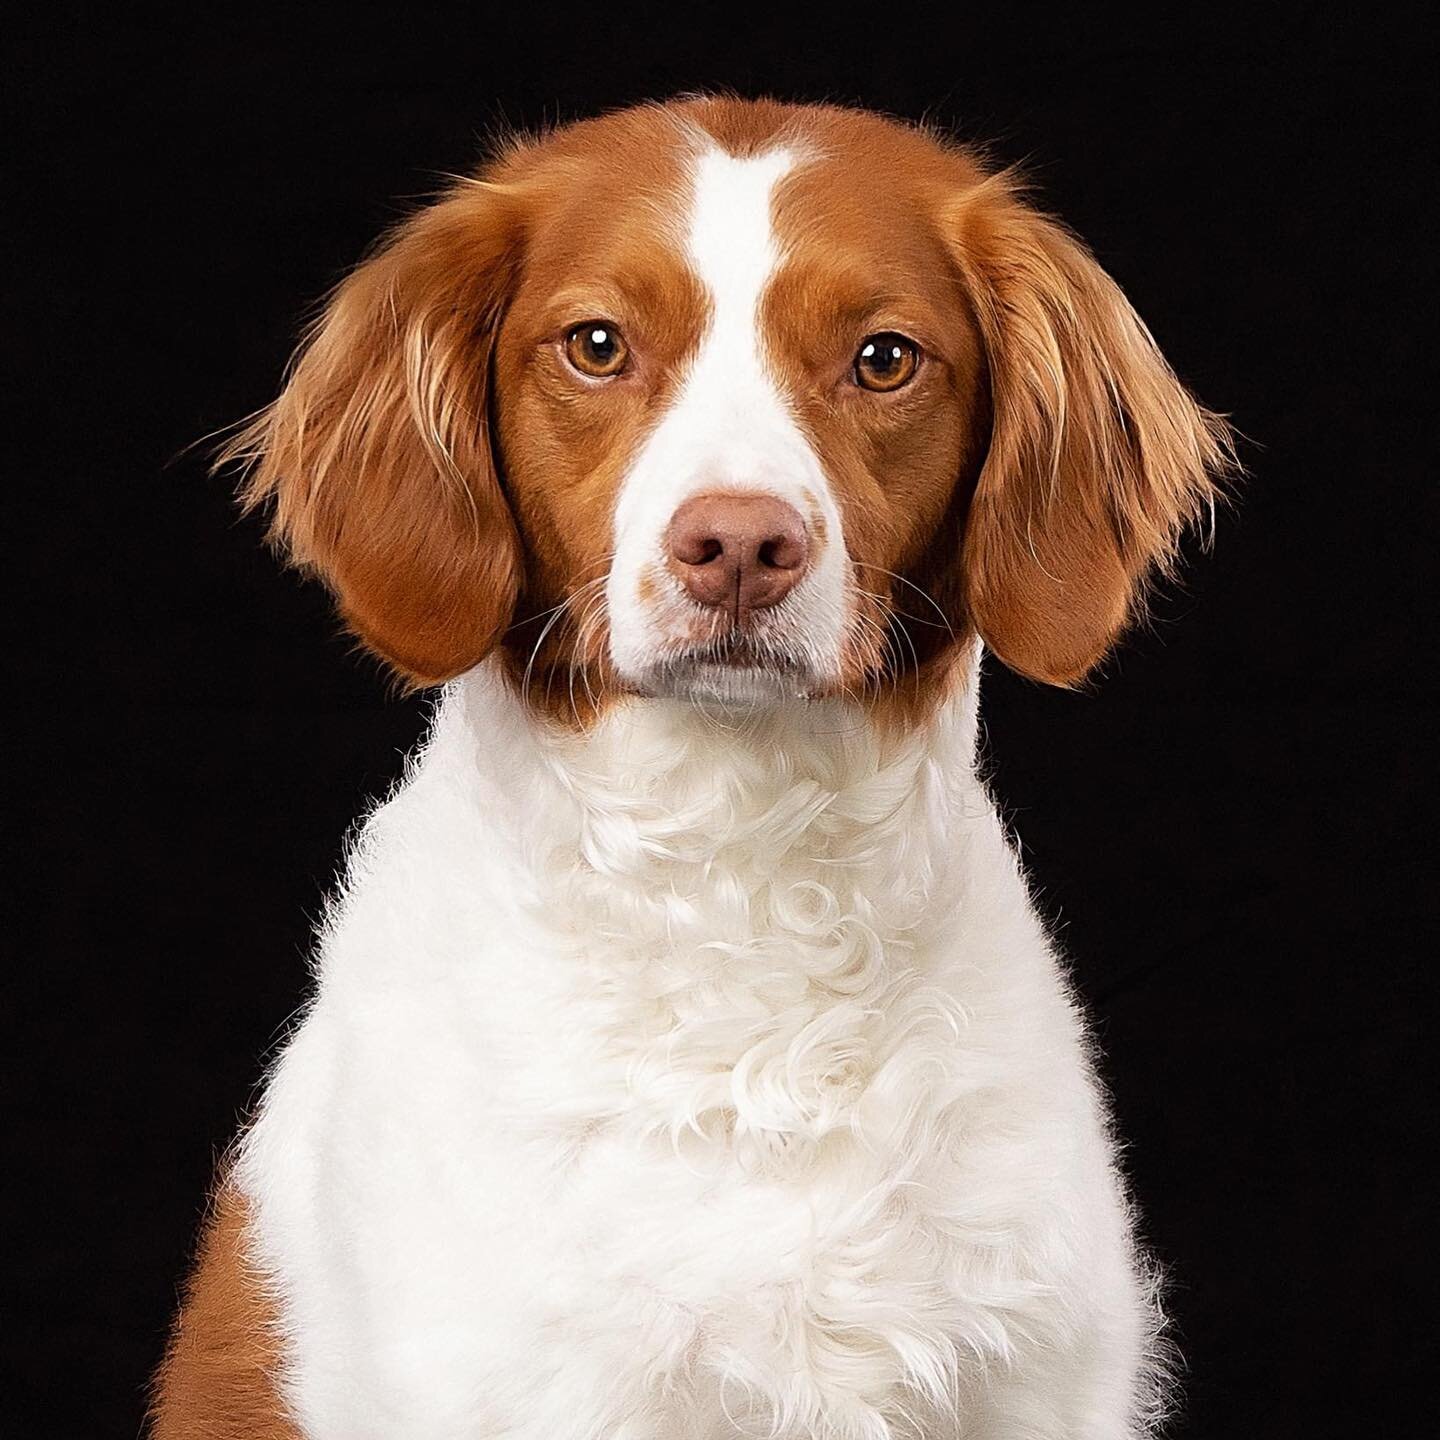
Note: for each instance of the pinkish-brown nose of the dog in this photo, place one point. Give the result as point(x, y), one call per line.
point(738, 552)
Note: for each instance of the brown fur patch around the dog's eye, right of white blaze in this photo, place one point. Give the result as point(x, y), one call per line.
point(901, 463)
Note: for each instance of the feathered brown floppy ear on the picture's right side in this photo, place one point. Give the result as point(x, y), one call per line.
point(1099, 457)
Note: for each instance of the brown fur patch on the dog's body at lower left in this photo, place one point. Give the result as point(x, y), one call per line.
point(220, 1377)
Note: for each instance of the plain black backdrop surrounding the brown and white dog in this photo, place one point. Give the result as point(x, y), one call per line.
point(1226, 830)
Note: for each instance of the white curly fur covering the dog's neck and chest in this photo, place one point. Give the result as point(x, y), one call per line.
point(695, 1079)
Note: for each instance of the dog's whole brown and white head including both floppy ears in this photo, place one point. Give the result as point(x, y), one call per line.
point(732, 400)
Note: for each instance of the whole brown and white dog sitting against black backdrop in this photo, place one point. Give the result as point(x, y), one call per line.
point(688, 1058)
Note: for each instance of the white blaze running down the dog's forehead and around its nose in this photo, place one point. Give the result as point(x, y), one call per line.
point(728, 427)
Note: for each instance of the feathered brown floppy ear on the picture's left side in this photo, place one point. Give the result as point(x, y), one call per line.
point(378, 456)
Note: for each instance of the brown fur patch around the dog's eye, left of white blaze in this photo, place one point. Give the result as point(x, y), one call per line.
point(595, 194)
